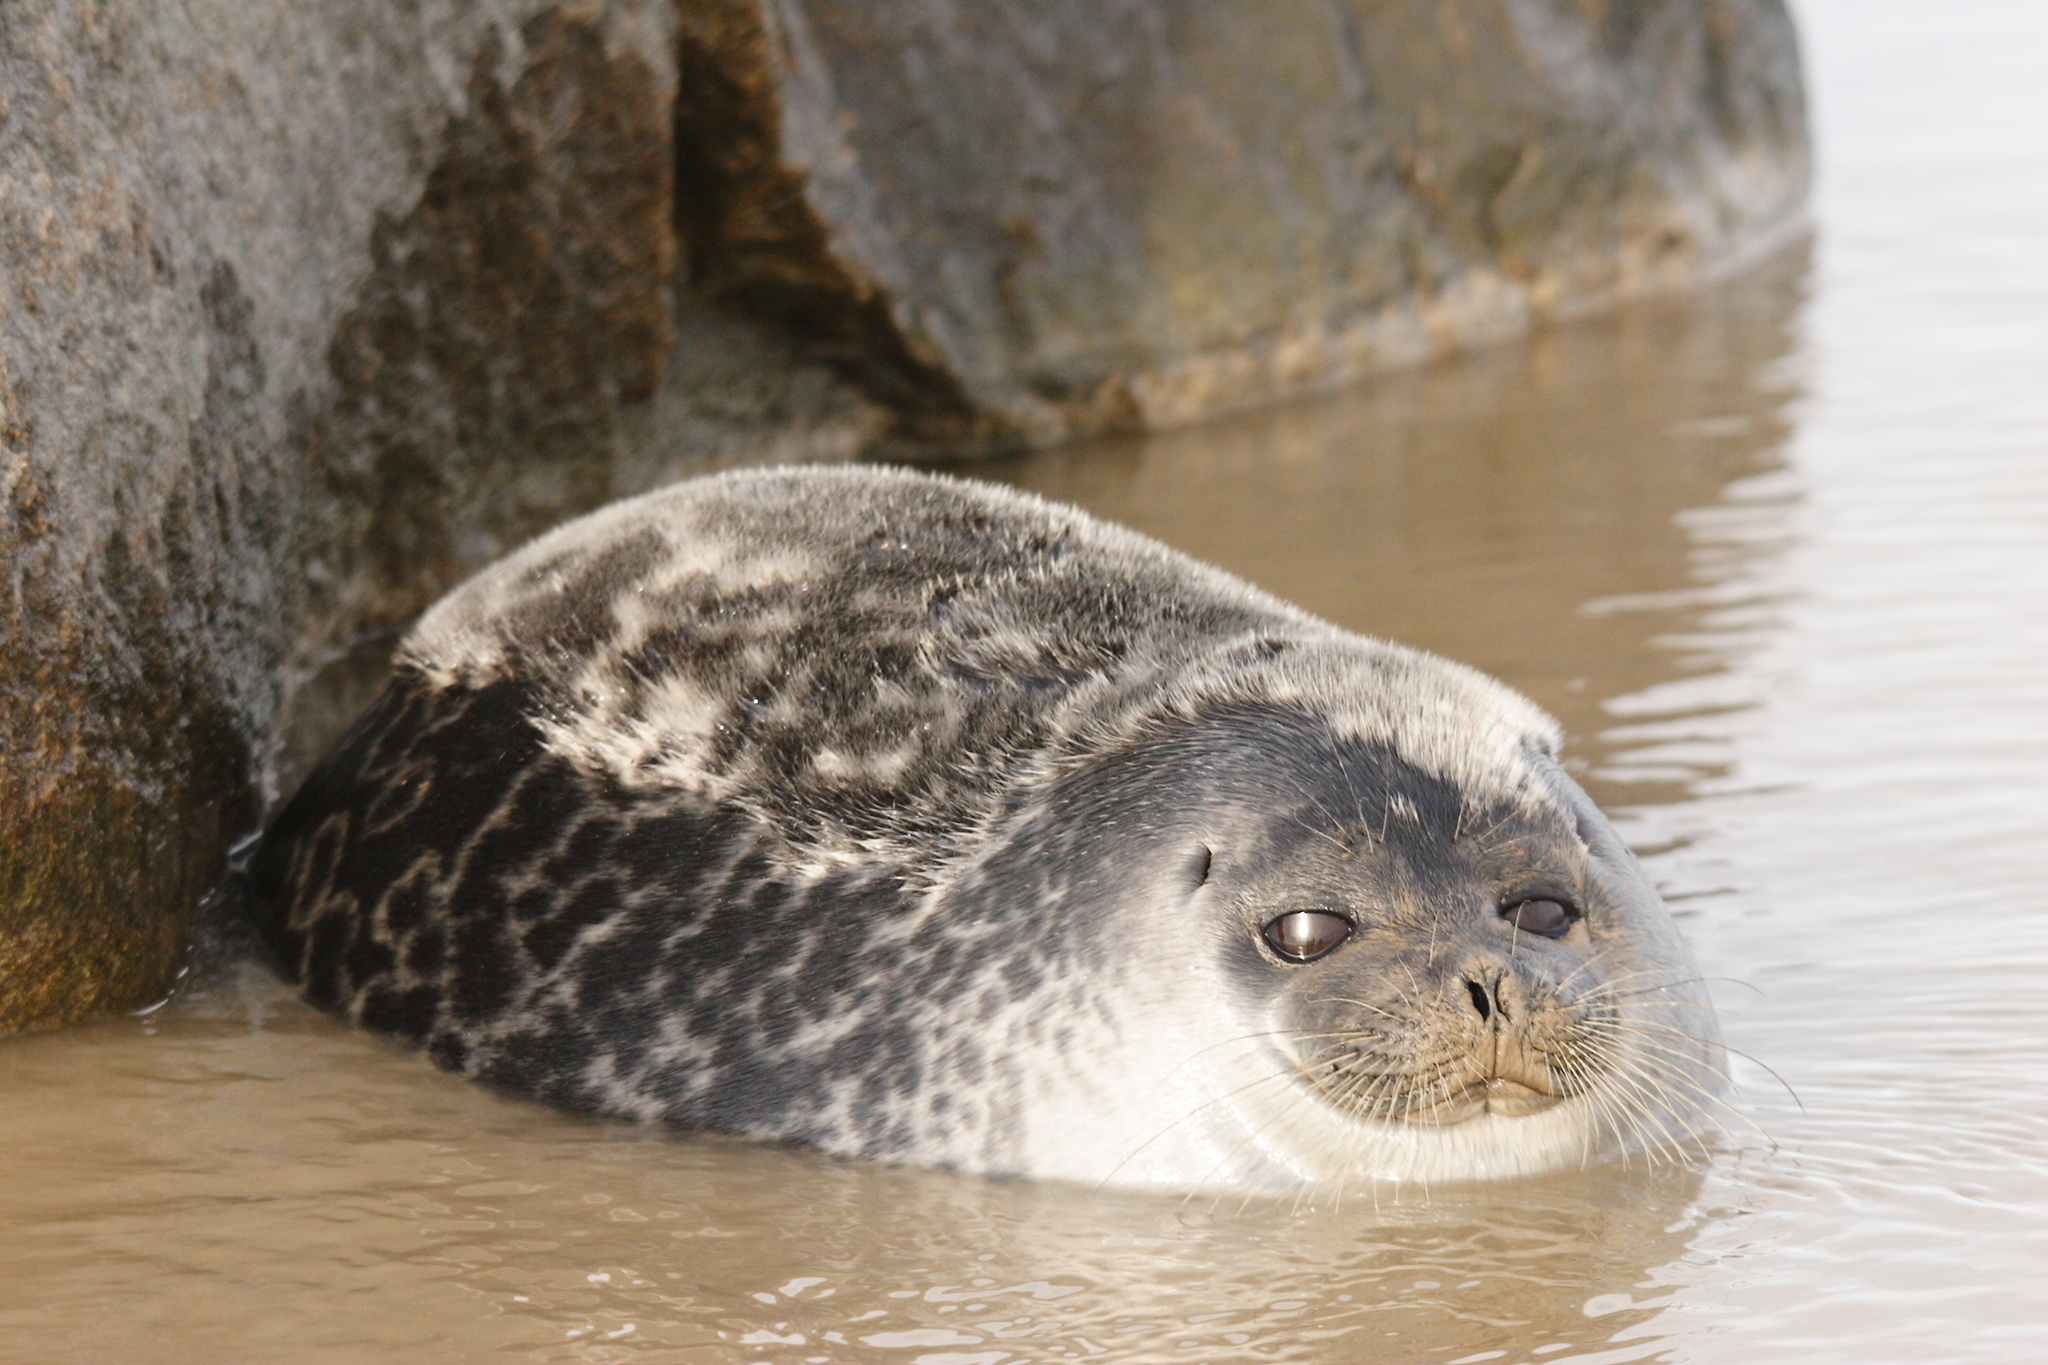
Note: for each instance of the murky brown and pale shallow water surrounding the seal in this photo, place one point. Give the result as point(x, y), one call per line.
point(1777, 556)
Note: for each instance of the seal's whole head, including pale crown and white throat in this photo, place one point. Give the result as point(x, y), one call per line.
point(1353, 922)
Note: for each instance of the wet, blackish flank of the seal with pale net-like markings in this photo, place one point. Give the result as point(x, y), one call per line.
point(542, 928)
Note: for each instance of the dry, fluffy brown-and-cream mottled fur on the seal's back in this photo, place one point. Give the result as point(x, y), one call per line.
point(906, 652)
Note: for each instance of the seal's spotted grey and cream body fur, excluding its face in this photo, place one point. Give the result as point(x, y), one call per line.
point(835, 805)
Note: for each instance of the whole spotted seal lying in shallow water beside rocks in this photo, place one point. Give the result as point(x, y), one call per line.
point(927, 822)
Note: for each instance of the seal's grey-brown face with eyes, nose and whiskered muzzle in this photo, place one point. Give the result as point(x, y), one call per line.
point(1435, 977)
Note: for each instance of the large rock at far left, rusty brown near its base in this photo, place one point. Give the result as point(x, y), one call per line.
point(306, 308)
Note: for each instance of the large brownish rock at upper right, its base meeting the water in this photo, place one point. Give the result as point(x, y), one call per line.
point(1048, 218)
